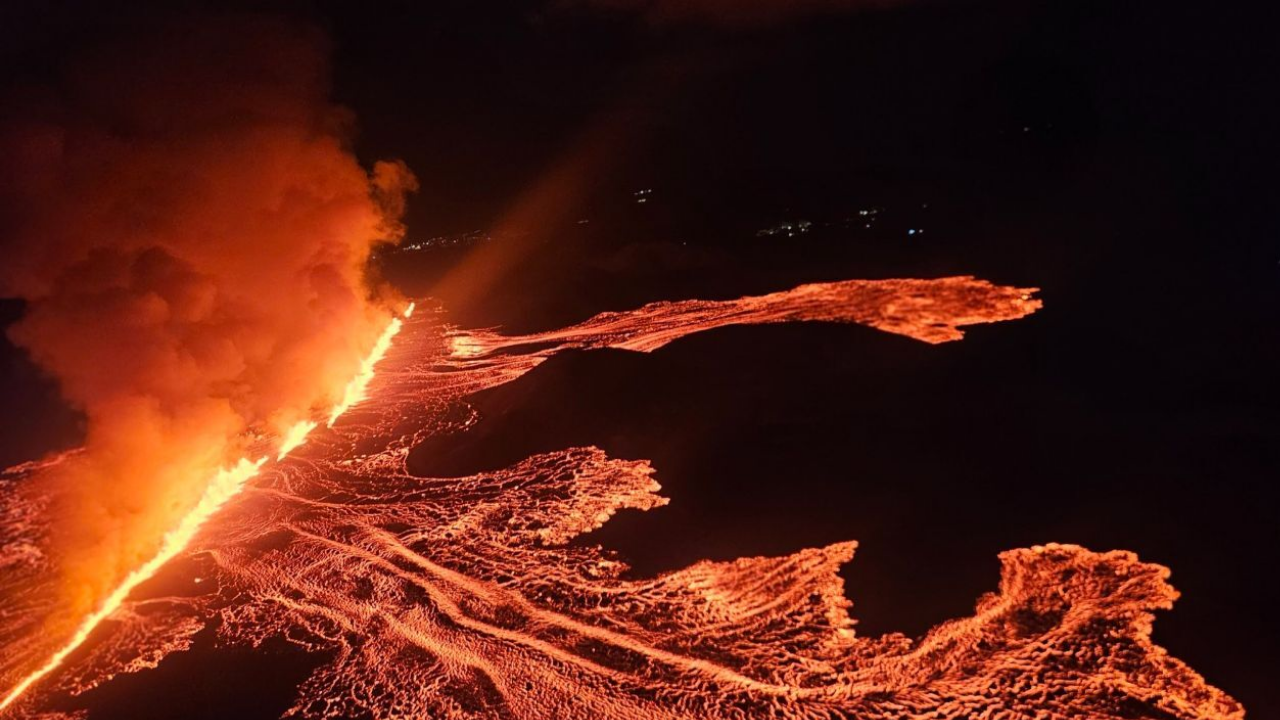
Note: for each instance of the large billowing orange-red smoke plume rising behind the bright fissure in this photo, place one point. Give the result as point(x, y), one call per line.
point(191, 233)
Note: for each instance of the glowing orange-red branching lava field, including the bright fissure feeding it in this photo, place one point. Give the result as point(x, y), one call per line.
point(463, 598)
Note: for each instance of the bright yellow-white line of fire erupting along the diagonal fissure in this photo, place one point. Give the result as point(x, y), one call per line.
point(226, 485)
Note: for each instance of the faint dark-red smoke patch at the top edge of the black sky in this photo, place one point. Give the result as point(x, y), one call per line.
point(735, 15)
